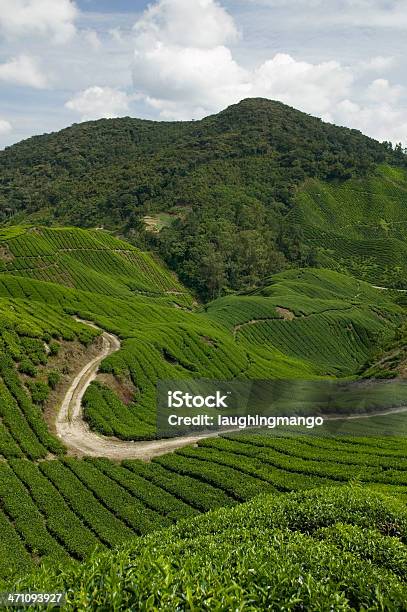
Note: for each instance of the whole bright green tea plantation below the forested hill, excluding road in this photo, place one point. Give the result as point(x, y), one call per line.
point(55, 507)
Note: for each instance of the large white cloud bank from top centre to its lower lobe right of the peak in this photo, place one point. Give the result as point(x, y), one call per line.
point(200, 76)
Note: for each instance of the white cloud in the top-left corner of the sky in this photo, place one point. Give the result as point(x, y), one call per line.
point(49, 18)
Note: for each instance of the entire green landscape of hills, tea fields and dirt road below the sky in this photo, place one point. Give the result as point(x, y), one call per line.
point(280, 255)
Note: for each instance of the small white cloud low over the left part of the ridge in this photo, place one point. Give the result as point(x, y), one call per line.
point(99, 102)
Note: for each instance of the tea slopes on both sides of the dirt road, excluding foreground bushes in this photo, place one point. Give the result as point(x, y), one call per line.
point(53, 505)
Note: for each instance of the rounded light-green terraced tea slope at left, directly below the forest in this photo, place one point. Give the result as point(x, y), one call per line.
point(92, 261)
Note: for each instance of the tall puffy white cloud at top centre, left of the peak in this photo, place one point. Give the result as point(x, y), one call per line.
point(181, 65)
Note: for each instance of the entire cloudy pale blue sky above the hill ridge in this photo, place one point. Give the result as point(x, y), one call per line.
point(66, 61)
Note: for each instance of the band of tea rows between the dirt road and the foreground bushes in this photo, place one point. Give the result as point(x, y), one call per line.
point(57, 509)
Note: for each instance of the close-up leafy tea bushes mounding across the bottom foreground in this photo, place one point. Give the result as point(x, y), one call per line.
point(329, 549)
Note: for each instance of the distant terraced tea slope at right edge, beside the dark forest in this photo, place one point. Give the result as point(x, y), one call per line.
point(358, 226)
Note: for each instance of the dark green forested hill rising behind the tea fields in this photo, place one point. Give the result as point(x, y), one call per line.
point(219, 189)
